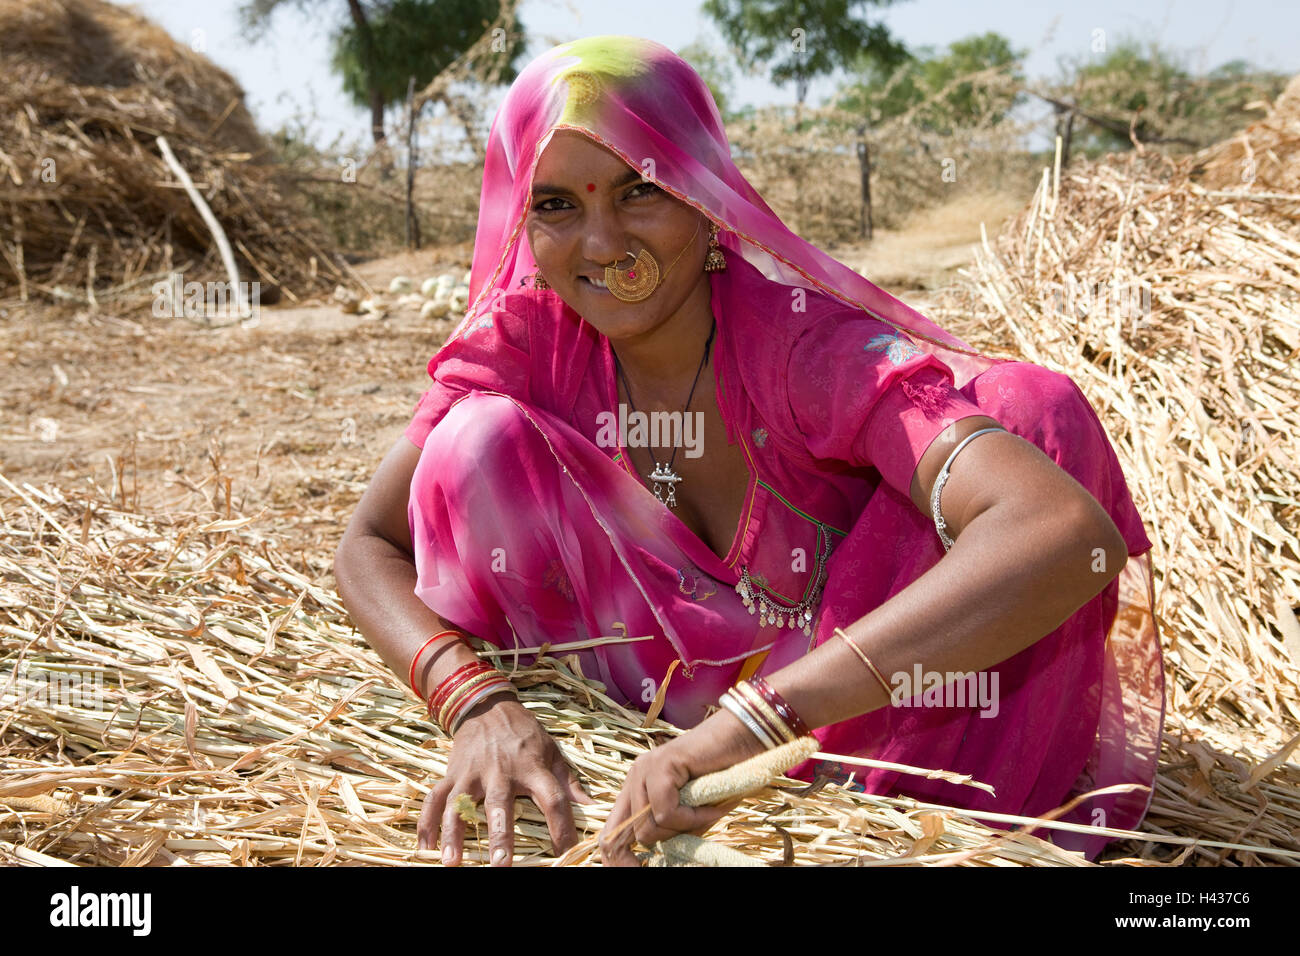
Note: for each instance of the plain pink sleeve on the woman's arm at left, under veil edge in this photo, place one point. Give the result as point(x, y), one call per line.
point(492, 354)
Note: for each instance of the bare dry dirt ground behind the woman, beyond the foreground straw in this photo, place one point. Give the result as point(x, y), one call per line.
point(289, 417)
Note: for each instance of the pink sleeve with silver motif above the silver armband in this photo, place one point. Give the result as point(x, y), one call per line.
point(863, 393)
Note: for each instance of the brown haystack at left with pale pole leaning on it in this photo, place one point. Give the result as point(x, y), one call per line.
point(90, 211)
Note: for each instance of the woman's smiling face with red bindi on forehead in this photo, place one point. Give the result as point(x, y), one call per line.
point(590, 210)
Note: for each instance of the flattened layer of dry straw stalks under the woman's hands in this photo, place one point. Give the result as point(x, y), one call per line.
point(241, 720)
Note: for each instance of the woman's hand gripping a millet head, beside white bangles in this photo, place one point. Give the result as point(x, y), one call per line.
point(655, 780)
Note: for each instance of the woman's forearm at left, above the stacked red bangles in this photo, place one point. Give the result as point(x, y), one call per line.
point(376, 581)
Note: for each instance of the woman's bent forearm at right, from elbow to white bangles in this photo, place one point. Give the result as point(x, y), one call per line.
point(1015, 576)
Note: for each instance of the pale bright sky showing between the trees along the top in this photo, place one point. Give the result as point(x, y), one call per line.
point(289, 72)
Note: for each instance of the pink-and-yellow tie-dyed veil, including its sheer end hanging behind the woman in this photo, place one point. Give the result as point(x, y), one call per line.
point(649, 107)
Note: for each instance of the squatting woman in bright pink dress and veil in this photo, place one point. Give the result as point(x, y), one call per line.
point(627, 274)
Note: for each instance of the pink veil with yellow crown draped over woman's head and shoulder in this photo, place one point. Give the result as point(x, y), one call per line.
point(649, 106)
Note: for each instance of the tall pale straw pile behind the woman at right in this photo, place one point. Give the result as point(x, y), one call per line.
point(1175, 308)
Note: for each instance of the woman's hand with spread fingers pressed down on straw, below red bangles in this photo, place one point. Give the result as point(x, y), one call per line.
point(501, 752)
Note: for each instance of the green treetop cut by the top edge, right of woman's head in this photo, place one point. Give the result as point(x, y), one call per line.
point(804, 40)
